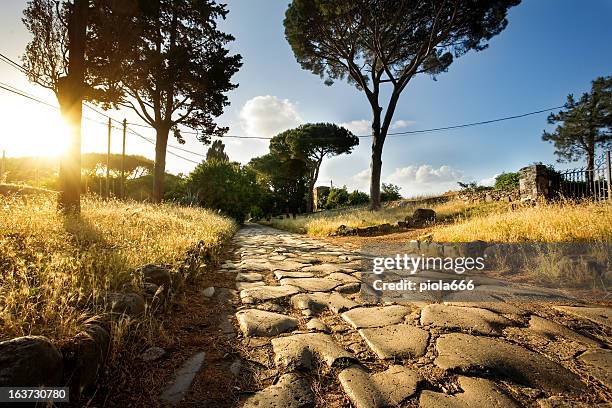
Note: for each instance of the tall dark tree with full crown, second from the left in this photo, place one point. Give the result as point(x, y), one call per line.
point(179, 72)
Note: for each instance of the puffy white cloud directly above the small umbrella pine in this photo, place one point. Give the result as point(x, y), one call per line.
point(266, 116)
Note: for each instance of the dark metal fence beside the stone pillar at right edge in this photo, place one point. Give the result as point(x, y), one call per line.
point(583, 183)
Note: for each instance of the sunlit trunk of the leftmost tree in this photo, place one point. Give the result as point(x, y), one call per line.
point(70, 98)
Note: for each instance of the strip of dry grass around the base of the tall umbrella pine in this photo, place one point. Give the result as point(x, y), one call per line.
point(327, 222)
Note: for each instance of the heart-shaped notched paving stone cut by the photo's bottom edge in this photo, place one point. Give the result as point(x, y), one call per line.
point(384, 389)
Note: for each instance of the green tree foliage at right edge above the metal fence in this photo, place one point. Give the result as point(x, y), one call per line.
point(585, 125)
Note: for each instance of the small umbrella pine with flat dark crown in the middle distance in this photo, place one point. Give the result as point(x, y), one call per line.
point(311, 143)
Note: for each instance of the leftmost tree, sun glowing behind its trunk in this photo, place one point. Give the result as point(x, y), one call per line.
point(75, 50)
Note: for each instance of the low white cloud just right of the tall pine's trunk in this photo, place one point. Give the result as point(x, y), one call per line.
point(425, 179)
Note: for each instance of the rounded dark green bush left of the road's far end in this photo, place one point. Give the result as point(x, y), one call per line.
point(224, 186)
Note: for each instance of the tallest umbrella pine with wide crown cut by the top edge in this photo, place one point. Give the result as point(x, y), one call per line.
point(377, 42)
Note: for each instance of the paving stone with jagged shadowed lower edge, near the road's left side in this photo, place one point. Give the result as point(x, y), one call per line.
point(298, 351)
